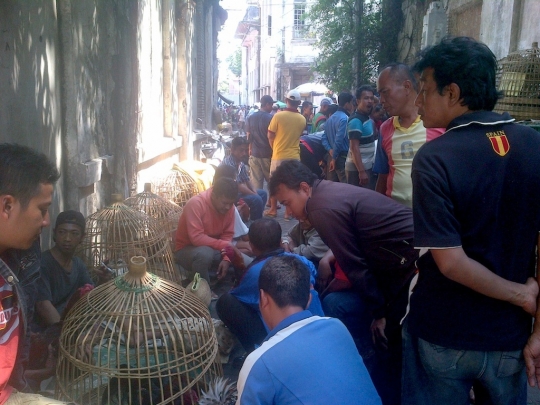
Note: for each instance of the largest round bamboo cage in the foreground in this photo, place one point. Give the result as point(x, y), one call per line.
point(137, 339)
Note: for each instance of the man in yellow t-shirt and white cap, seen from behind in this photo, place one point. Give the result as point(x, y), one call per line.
point(284, 134)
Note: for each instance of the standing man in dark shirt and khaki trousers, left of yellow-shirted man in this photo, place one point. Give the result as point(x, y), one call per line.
point(260, 152)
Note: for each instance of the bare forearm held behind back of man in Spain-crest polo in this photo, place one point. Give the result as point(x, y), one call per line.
point(457, 266)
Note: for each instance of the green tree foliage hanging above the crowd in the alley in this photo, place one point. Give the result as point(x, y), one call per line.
point(349, 38)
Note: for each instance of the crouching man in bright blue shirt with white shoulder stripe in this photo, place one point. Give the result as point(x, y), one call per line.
point(305, 359)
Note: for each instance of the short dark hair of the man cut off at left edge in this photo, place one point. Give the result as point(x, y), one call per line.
point(23, 170)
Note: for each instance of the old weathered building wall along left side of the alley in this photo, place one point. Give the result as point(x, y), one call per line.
point(109, 89)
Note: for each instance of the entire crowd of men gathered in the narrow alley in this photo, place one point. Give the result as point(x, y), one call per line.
point(411, 277)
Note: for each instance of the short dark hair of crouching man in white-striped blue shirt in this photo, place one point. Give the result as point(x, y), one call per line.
point(287, 280)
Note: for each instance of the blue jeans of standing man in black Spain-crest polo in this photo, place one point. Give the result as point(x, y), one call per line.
point(434, 374)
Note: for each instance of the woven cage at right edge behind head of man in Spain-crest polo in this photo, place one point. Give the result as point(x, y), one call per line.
point(518, 77)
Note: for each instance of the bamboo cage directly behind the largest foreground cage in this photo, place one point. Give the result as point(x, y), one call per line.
point(118, 232)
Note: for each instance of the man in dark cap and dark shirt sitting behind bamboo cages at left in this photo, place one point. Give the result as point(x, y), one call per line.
point(62, 273)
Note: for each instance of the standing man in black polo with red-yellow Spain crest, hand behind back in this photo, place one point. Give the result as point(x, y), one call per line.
point(477, 209)
